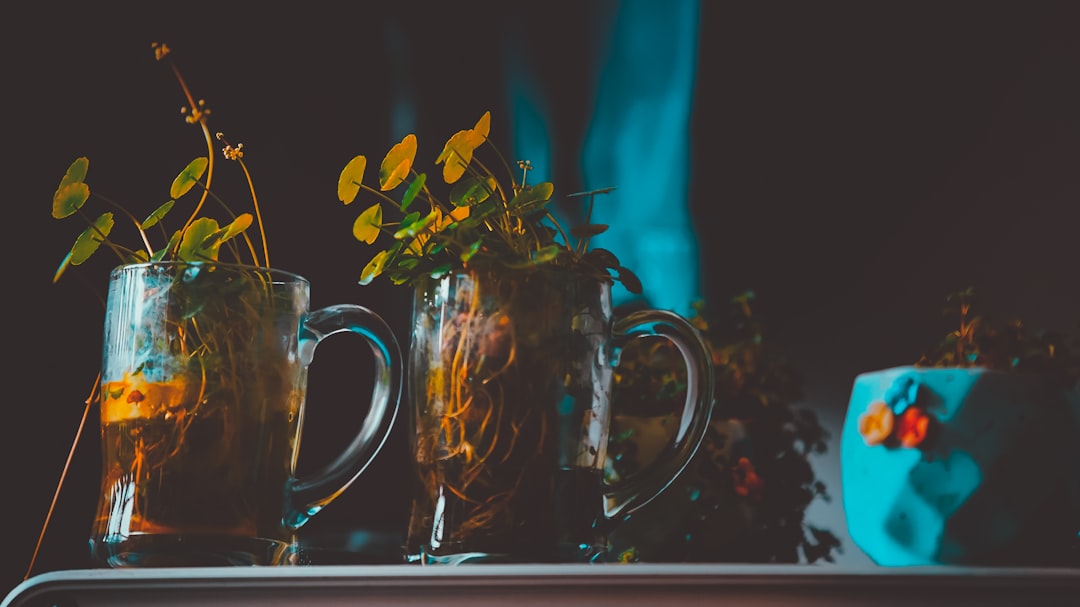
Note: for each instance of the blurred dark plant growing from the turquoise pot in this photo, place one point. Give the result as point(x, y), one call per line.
point(981, 342)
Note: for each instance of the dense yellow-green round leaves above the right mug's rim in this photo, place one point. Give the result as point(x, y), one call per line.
point(480, 221)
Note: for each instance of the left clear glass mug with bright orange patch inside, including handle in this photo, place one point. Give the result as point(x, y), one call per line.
point(202, 397)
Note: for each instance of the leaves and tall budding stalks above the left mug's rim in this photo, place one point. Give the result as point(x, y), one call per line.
point(199, 239)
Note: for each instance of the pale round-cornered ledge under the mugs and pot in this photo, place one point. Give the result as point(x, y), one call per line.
point(524, 586)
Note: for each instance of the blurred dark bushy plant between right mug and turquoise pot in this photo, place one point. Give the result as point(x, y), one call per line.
point(744, 496)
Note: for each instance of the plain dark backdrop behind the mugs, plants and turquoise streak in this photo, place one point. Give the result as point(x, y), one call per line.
point(853, 163)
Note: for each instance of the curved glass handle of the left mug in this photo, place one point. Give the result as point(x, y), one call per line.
point(312, 494)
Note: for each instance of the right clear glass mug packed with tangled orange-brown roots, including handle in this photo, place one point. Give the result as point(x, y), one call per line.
point(509, 392)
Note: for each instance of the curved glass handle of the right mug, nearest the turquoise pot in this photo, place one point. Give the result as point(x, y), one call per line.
point(641, 488)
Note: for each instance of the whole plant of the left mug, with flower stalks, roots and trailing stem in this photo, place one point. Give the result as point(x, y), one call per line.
point(210, 335)
